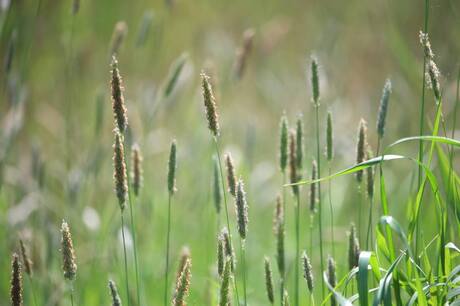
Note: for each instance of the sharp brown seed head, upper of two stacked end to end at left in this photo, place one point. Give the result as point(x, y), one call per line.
point(118, 100)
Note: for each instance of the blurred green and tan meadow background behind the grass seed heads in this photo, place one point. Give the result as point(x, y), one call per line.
point(56, 150)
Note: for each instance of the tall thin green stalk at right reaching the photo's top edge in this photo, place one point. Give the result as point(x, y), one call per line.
point(422, 118)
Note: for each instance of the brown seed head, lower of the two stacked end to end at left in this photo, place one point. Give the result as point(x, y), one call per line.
point(119, 173)
